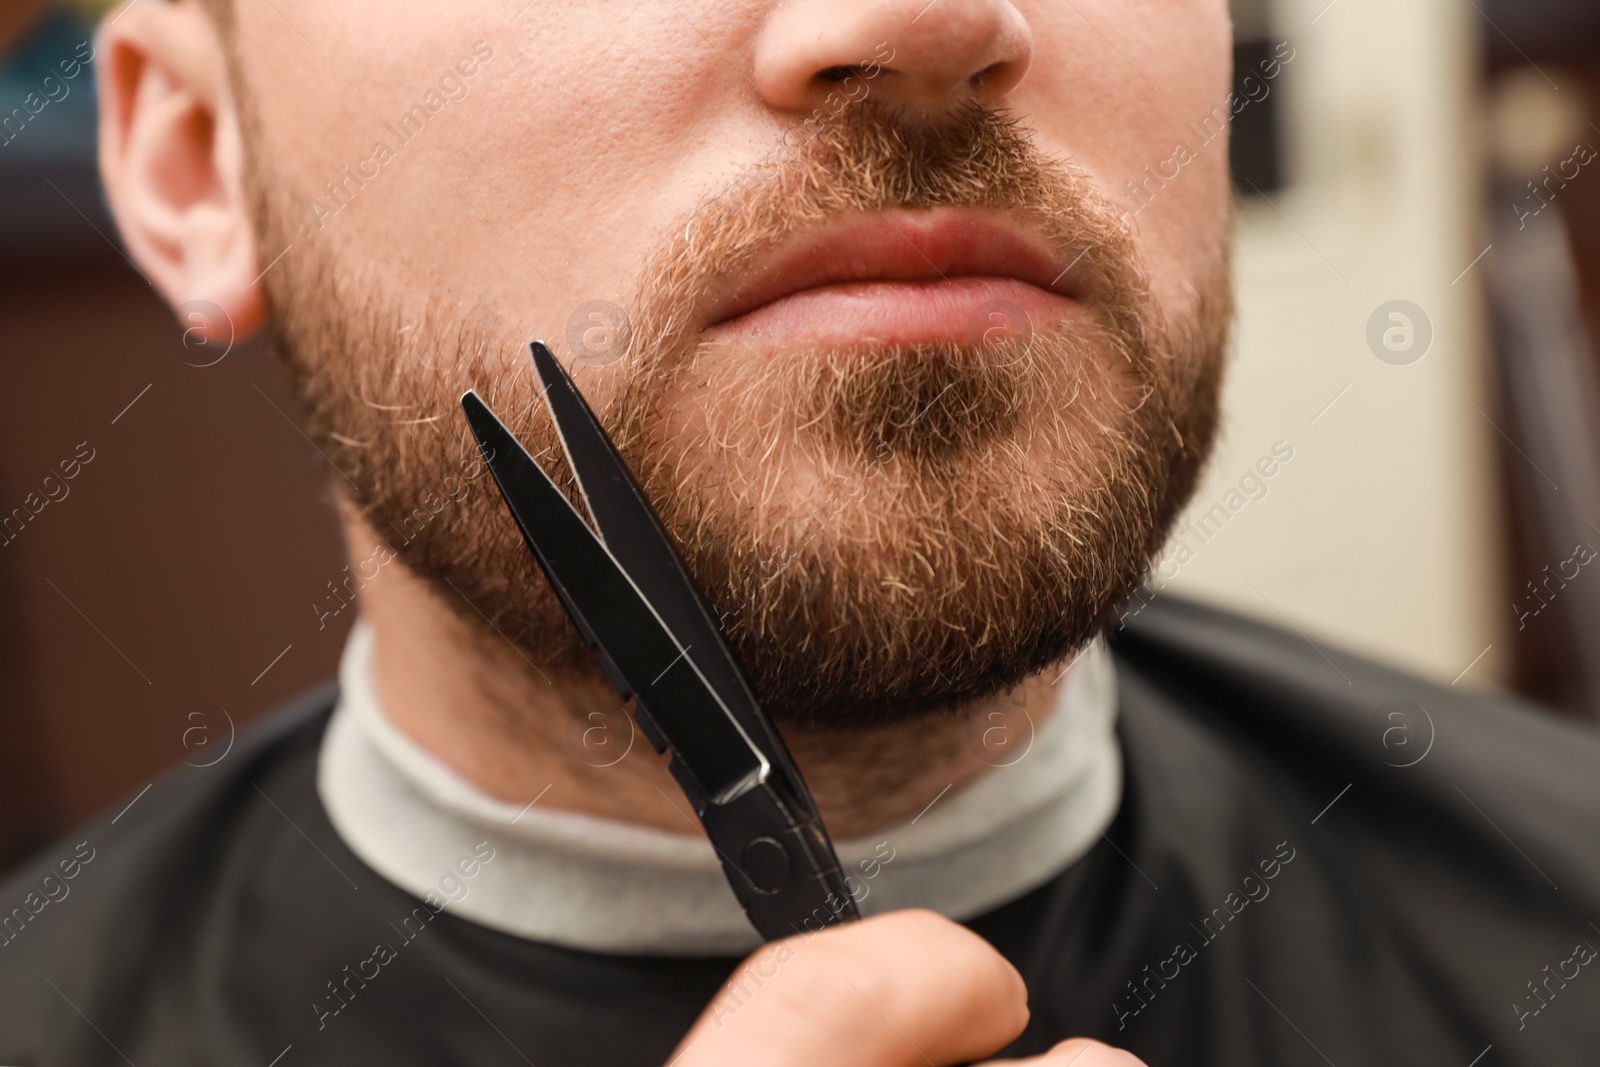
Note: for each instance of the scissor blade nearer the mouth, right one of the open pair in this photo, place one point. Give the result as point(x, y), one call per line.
point(634, 537)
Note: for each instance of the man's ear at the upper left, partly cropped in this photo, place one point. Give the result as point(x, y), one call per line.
point(172, 162)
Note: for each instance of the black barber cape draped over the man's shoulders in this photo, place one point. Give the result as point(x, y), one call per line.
point(1318, 861)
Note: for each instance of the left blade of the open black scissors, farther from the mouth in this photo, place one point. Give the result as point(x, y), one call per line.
point(612, 612)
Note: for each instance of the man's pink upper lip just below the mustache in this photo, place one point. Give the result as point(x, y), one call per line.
point(900, 246)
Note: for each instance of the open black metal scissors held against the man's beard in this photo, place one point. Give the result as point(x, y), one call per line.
point(628, 594)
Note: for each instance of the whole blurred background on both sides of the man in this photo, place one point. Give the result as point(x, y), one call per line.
point(1418, 279)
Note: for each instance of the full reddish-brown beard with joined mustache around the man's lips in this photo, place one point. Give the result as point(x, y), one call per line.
point(884, 532)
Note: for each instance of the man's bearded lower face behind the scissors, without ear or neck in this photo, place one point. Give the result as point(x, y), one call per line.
point(846, 282)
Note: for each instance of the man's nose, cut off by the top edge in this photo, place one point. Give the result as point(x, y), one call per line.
point(929, 57)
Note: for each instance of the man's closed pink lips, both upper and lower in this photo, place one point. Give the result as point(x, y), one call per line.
point(898, 278)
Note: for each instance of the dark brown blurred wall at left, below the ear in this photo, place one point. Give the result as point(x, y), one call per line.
point(178, 562)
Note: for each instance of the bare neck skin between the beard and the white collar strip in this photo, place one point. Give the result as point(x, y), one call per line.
point(482, 708)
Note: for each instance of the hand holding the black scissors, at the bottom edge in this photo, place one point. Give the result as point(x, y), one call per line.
point(906, 989)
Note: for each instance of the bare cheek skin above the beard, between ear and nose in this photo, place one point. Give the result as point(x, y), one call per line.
point(550, 182)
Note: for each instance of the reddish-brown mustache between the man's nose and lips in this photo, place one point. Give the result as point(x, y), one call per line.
point(874, 158)
